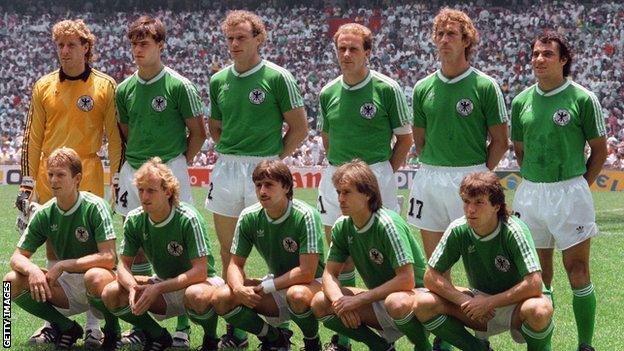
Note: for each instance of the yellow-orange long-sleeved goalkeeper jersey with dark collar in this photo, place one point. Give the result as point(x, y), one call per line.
point(72, 112)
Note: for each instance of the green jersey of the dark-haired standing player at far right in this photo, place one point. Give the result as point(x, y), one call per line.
point(553, 127)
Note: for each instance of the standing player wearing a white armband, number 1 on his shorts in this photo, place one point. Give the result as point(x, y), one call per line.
point(360, 113)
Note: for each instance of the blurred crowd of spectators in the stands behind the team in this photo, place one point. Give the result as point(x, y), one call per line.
point(300, 40)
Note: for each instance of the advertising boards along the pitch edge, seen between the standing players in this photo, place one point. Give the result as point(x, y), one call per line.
point(310, 177)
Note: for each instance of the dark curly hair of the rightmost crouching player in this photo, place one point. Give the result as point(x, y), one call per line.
point(485, 183)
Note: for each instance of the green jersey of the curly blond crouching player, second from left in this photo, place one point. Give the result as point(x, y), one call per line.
point(171, 244)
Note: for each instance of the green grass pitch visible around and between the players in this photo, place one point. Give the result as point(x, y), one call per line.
point(606, 258)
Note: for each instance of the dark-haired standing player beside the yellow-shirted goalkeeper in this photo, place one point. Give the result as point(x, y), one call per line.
point(157, 107)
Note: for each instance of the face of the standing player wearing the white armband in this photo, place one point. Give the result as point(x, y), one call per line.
point(352, 57)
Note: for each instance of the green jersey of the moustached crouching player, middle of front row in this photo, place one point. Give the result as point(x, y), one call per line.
point(280, 241)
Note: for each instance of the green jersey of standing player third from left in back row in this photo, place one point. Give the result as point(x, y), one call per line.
point(251, 107)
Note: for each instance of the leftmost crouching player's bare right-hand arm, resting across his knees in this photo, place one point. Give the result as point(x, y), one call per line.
point(104, 258)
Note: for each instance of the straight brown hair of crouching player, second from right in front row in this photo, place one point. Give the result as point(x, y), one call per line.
point(360, 175)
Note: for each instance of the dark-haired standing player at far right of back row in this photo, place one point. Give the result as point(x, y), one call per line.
point(551, 123)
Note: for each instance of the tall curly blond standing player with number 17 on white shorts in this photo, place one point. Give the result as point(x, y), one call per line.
point(456, 109)
